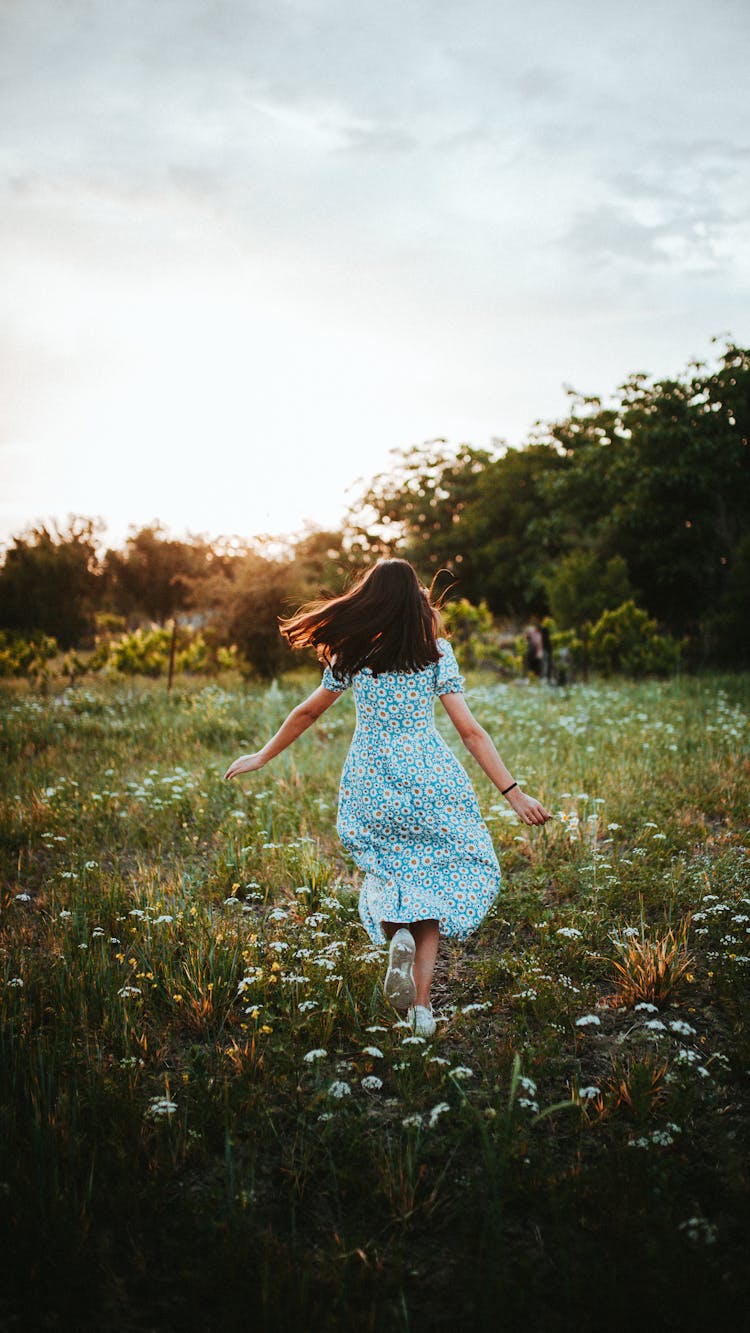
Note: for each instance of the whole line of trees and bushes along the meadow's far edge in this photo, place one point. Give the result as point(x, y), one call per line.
point(640, 499)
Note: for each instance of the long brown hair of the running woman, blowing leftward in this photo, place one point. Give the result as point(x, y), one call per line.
point(386, 622)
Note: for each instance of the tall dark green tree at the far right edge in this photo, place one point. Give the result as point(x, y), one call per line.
point(663, 479)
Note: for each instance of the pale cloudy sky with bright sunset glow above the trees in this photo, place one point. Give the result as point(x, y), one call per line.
point(251, 247)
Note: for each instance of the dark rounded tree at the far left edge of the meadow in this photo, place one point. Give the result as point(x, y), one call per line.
point(51, 582)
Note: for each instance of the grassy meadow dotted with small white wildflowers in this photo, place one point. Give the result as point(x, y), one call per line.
point(212, 1118)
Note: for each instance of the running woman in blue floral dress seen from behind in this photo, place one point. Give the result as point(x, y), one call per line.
point(407, 810)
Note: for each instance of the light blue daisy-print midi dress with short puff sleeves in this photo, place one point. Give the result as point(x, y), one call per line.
point(407, 810)
